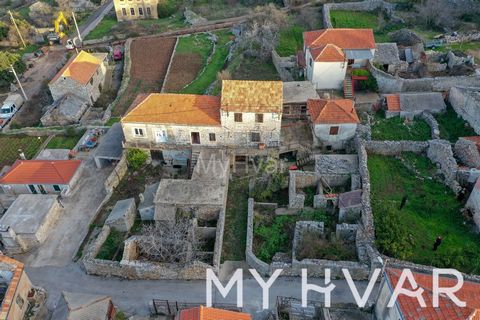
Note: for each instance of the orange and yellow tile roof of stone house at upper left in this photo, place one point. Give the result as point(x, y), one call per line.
point(80, 68)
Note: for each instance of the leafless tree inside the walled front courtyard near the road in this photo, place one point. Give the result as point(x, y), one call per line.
point(170, 242)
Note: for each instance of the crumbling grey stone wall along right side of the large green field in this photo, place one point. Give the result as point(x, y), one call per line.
point(440, 153)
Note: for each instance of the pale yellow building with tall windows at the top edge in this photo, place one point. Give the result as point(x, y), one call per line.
point(135, 9)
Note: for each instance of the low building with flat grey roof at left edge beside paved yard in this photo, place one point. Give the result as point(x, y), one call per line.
point(28, 221)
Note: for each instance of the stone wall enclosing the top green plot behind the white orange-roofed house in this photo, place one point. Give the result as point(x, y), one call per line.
point(367, 5)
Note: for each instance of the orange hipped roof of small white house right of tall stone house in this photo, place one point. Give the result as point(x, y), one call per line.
point(332, 111)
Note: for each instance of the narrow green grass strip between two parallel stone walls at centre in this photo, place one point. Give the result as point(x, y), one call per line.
point(235, 234)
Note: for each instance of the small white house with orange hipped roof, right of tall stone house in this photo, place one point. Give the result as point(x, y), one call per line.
point(333, 122)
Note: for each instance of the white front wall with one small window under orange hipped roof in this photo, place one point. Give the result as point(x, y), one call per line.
point(321, 133)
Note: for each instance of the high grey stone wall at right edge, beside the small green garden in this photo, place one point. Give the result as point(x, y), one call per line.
point(465, 101)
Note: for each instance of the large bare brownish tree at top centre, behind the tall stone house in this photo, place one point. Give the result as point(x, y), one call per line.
point(261, 33)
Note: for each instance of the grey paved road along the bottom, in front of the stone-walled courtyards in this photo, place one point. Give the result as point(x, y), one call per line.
point(135, 296)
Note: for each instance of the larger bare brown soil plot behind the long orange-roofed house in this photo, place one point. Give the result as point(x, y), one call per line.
point(149, 63)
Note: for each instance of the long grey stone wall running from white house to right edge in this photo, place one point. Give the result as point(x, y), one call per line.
point(390, 84)
